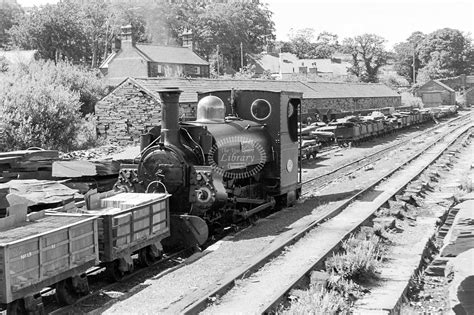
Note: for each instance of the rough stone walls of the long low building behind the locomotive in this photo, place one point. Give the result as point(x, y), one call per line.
point(129, 111)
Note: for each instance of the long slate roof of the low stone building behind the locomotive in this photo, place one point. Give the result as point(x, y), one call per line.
point(310, 90)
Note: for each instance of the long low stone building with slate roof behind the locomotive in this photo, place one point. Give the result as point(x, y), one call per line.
point(134, 106)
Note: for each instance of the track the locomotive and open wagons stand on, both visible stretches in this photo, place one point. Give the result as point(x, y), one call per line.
point(323, 180)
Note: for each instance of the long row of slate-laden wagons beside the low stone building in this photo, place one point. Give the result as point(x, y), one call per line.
point(356, 129)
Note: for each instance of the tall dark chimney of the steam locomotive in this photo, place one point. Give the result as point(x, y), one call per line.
point(169, 115)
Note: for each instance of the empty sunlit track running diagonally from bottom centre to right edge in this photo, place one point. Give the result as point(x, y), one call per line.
point(290, 265)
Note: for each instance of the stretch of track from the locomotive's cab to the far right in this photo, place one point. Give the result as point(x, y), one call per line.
point(319, 182)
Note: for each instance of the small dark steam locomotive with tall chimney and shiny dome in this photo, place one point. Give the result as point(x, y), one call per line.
point(239, 157)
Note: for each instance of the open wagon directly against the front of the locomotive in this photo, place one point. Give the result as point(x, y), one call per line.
point(130, 223)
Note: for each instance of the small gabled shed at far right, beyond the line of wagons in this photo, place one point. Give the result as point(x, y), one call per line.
point(435, 93)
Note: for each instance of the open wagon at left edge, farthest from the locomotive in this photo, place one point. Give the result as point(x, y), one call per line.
point(43, 251)
